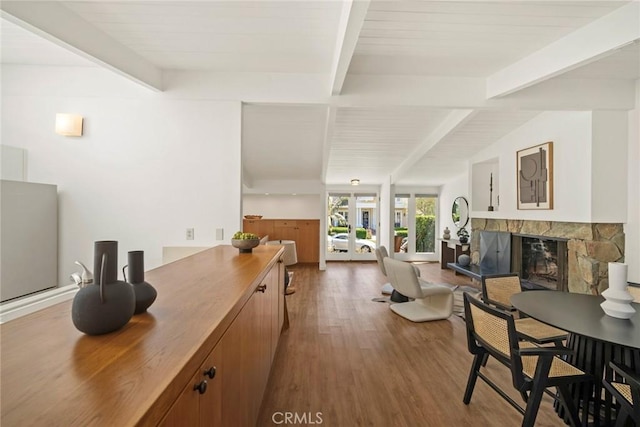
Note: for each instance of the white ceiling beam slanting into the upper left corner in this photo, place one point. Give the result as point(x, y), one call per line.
point(56, 23)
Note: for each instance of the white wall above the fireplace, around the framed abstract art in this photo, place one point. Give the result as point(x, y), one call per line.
point(597, 179)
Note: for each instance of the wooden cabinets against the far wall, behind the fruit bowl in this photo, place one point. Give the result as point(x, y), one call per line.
point(305, 232)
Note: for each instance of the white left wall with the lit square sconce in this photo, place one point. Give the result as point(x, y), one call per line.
point(147, 167)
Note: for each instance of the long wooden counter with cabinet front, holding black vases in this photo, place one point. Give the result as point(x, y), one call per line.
point(201, 355)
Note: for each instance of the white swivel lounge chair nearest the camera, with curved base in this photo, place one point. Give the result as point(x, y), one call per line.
point(430, 301)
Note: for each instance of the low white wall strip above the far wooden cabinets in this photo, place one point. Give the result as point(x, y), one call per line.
point(279, 206)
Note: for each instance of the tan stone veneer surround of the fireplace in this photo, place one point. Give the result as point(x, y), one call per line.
point(590, 247)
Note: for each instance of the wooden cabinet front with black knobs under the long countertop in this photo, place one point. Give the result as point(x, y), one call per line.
point(241, 361)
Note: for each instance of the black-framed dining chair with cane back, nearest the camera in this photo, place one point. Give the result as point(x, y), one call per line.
point(492, 332)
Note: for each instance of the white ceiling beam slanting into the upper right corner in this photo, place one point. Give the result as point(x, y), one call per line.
point(594, 41)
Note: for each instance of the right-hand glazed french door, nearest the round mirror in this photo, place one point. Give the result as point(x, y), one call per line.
point(414, 227)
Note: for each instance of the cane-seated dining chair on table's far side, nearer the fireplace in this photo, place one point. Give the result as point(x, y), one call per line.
point(497, 290)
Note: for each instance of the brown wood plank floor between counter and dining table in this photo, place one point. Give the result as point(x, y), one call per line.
point(356, 363)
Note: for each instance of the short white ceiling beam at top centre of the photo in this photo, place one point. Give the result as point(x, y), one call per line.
point(351, 21)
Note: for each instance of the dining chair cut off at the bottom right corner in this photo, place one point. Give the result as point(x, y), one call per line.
point(626, 390)
